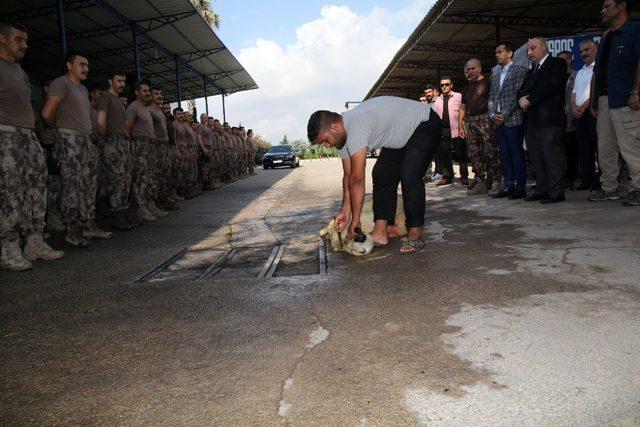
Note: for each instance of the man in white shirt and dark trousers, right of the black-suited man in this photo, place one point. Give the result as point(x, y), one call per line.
point(586, 134)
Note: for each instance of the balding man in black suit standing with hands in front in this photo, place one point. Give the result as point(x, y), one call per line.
point(541, 96)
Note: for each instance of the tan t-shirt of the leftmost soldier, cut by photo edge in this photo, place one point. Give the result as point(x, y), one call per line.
point(15, 96)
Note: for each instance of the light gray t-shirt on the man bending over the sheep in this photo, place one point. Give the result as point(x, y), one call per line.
point(382, 122)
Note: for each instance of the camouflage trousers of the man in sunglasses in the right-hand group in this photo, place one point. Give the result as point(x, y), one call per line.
point(483, 150)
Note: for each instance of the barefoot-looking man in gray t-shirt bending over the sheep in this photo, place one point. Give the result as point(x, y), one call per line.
point(408, 132)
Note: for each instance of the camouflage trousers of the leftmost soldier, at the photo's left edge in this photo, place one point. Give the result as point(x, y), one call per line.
point(23, 183)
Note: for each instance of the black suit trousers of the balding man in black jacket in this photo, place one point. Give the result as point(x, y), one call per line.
point(547, 154)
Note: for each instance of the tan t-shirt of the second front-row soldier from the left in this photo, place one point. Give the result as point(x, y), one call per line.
point(74, 111)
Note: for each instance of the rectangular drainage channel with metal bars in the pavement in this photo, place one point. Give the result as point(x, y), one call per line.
point(263, 262)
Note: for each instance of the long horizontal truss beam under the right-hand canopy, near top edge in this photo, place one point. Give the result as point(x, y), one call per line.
point(526, 21)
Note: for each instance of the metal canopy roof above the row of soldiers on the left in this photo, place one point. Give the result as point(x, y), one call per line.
point(170, 36)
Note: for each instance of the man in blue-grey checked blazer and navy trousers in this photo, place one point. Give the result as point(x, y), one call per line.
point(506, 116)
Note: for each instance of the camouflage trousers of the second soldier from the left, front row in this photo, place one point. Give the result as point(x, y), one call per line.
point(78, 160)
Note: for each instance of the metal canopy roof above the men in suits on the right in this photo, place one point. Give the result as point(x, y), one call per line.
point(455, 30)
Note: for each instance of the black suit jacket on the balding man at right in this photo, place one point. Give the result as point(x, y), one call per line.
point(546, 90)
